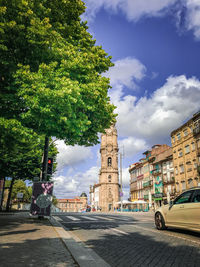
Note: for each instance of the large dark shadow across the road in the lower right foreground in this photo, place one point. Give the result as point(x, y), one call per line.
point(145, 249)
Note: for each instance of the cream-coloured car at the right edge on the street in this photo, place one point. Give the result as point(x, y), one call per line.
point(183, 212)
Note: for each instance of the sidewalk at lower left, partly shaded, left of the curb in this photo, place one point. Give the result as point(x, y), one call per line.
point(26, 241)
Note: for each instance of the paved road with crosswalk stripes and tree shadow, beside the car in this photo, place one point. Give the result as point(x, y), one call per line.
point(132, 239)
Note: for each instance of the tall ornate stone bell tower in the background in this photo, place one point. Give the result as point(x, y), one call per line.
point(109, 176)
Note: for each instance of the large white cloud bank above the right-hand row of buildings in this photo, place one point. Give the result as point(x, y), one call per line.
point(155, 117)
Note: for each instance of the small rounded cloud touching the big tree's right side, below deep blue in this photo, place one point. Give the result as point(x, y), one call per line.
point(125, 72)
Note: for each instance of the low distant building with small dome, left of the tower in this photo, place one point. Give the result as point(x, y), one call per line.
point(73, 204)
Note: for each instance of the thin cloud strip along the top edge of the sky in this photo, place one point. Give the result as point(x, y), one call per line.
point(186, 12)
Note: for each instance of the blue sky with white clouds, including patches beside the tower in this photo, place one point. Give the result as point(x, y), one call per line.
point(155, 45)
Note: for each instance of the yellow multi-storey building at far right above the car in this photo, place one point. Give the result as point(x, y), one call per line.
point(186, 154)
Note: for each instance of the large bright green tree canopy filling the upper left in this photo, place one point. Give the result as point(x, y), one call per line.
point(51, 71)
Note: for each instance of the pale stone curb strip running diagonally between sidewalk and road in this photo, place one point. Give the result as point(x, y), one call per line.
point(83, 255)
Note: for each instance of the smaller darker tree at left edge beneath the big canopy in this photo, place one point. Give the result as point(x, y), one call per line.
point(20, 153)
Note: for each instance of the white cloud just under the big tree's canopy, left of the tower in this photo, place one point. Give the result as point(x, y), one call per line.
point(71, 155)
